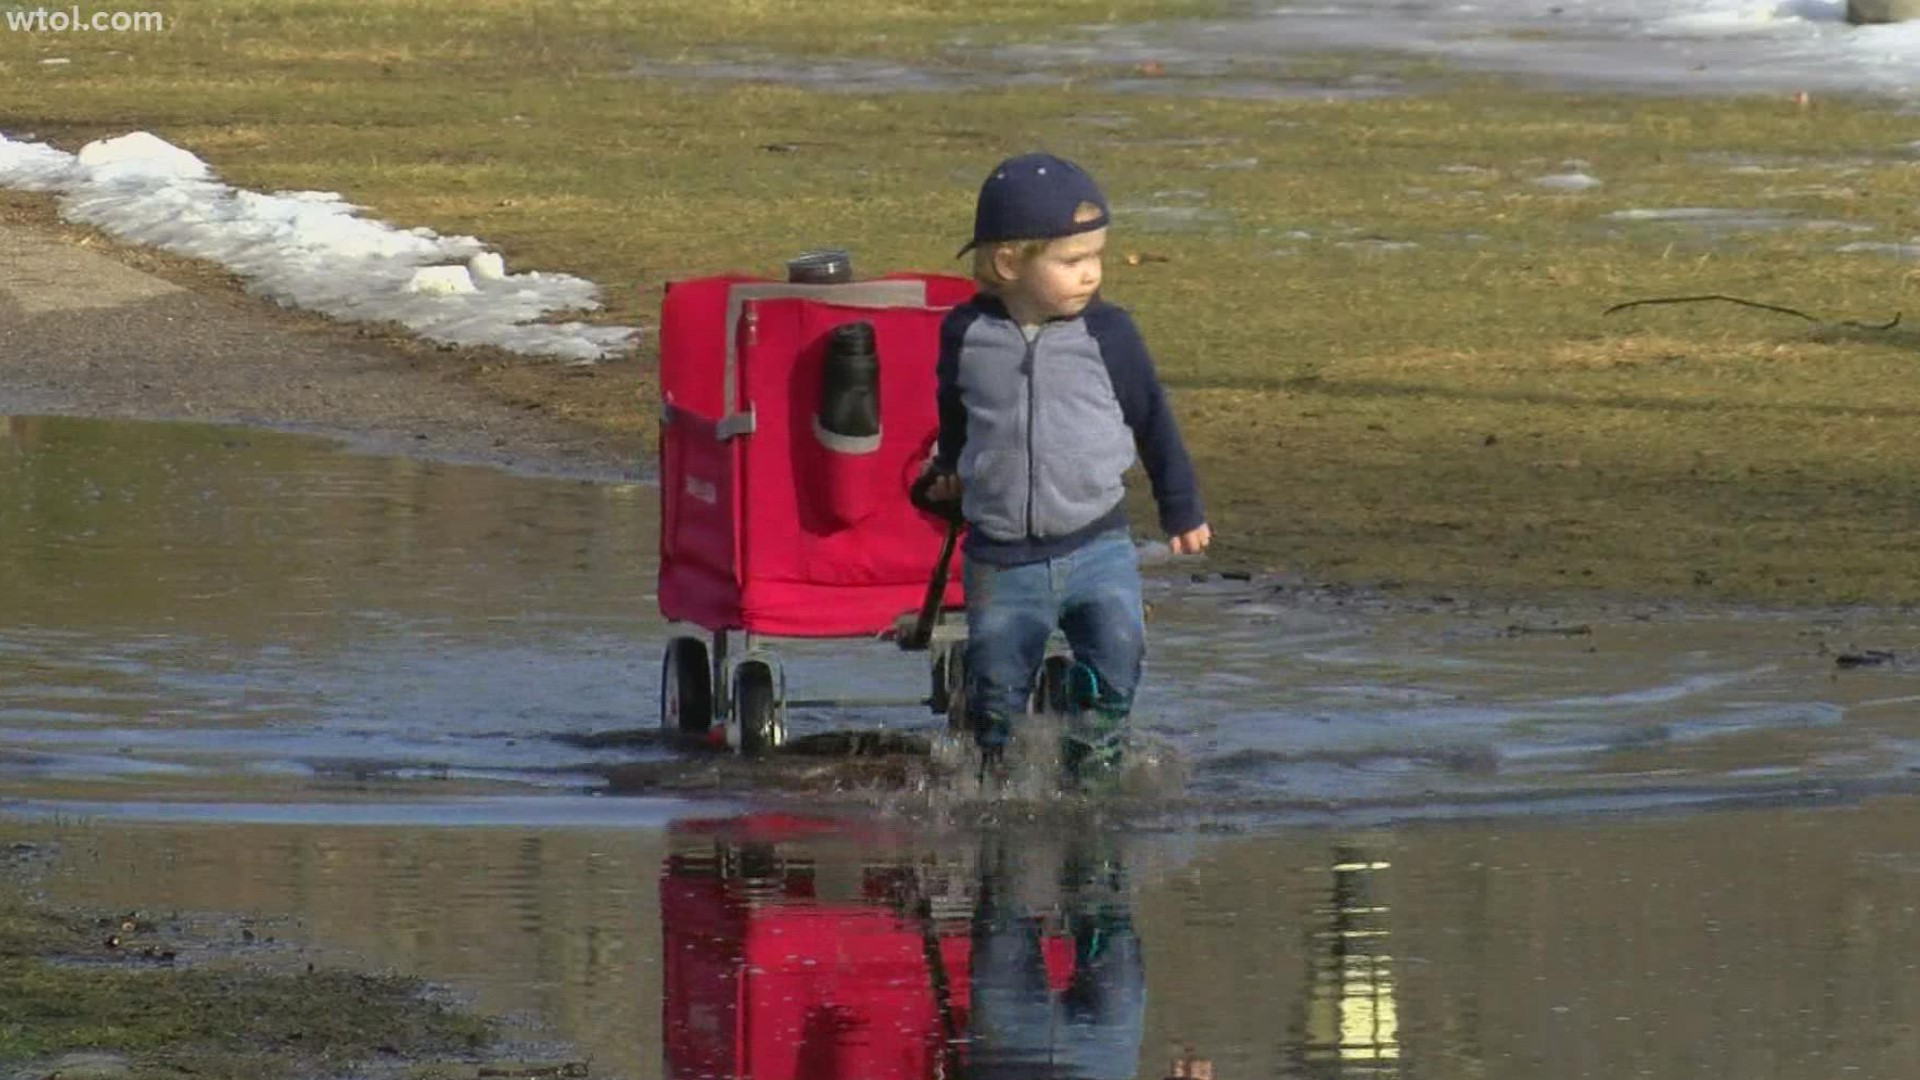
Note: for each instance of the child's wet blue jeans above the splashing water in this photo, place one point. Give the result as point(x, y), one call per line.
point(1092, 593)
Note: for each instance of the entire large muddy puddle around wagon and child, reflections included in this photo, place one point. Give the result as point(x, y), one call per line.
point(404, 710)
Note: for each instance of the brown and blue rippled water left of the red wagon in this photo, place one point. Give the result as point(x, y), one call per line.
point(220, 612)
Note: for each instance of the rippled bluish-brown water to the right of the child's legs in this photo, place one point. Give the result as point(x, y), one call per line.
point(1462, 710)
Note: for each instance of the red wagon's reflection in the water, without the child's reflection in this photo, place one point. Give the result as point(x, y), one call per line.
point(784, 968)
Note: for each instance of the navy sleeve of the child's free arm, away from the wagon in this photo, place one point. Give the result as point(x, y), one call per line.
point(1145, 406)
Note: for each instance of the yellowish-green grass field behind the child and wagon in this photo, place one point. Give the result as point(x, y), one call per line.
point(1385, 339)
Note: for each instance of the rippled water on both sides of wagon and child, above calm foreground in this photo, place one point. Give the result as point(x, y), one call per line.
point(262, 627)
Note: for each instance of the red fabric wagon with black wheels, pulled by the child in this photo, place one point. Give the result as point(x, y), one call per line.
point(794, 422)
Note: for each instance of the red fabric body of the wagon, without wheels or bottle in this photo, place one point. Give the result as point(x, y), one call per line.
point(773, 531)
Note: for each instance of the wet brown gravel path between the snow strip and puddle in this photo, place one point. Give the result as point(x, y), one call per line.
point(72, 303)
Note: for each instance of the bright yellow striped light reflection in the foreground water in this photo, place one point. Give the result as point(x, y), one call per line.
point(1353, 1018)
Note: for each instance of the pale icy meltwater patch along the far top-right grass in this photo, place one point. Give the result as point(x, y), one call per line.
point(1714, 47)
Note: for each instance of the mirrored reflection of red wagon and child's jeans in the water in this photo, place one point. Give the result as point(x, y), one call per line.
point(917, 968)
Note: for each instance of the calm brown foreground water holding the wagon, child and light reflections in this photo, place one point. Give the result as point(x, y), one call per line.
point(878, 952)
